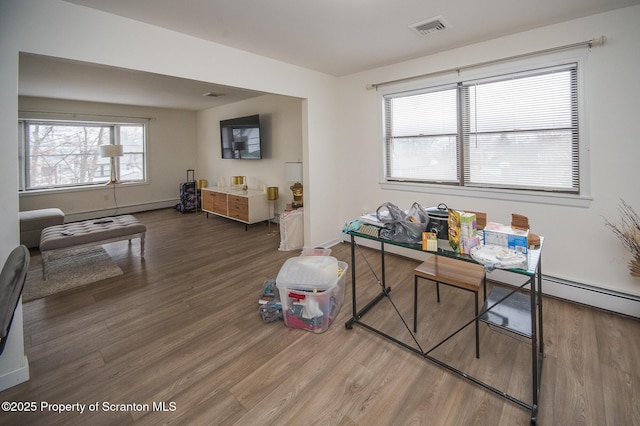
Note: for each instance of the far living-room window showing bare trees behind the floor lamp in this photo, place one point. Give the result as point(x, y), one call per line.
point(58, 154)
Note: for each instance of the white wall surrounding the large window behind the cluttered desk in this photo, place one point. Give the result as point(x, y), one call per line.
point(578, 247)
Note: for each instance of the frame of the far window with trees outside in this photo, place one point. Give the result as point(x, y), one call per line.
point(114, 123)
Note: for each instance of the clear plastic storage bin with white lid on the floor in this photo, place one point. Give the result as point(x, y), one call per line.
point(311, 292)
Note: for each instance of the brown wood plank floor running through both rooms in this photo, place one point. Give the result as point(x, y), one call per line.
point(182, 328)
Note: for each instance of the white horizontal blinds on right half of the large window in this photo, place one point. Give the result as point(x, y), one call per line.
point(522, 132)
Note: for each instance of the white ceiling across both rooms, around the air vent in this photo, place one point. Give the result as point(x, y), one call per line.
point(337, 37)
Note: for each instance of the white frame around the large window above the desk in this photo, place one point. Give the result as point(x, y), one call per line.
point(581, 199)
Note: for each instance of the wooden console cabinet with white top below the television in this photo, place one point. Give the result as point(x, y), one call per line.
point(249, 206)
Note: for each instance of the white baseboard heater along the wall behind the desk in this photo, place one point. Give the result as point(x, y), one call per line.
point(568, 290)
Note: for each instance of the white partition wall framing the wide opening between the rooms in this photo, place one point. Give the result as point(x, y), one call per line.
point(60, 29)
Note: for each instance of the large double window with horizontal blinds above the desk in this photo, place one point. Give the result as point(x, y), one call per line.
point(515, 131)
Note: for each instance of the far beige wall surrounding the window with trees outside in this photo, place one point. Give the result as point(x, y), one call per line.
point(171, 150)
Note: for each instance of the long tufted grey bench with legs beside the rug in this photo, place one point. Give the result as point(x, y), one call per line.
point(89, 232)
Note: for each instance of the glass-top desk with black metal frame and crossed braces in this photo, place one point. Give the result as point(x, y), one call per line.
point(509, 309)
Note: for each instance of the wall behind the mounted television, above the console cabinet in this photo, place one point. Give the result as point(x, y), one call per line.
point(281, 136)
